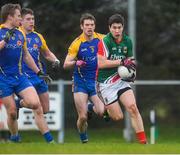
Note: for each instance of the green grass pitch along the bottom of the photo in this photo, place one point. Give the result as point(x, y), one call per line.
point(101, 141)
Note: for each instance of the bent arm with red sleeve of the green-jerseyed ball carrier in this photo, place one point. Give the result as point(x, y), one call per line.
point(103, 62)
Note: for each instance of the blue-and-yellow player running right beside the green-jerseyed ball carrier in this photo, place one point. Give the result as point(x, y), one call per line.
point(82, 55)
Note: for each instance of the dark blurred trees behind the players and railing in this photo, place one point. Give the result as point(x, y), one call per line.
point(157, 49)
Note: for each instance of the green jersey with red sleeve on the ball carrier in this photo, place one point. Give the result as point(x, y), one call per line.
point(113, 51)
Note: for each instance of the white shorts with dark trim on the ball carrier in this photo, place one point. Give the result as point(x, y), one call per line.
point(110, 92)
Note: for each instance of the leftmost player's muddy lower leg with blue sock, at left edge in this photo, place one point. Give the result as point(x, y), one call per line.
point(12, 117)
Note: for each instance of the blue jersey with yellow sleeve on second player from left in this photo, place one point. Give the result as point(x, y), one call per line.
point(35, 44)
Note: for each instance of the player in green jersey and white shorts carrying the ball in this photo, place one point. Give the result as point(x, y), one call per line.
point(114, 50)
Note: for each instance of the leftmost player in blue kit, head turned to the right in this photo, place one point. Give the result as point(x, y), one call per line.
point(12, 50)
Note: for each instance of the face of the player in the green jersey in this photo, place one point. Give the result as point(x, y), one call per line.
point(116, 30)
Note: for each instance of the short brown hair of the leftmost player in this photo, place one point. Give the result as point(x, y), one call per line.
point(8, 9)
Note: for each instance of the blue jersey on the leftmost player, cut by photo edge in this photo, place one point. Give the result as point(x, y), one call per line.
point(11, 54)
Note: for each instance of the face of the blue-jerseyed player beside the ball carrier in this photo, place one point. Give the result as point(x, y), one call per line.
point(88, 27)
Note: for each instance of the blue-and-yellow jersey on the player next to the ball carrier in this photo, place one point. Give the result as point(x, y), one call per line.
point(86, 51)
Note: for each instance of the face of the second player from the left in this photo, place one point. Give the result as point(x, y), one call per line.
point(28, 22)
